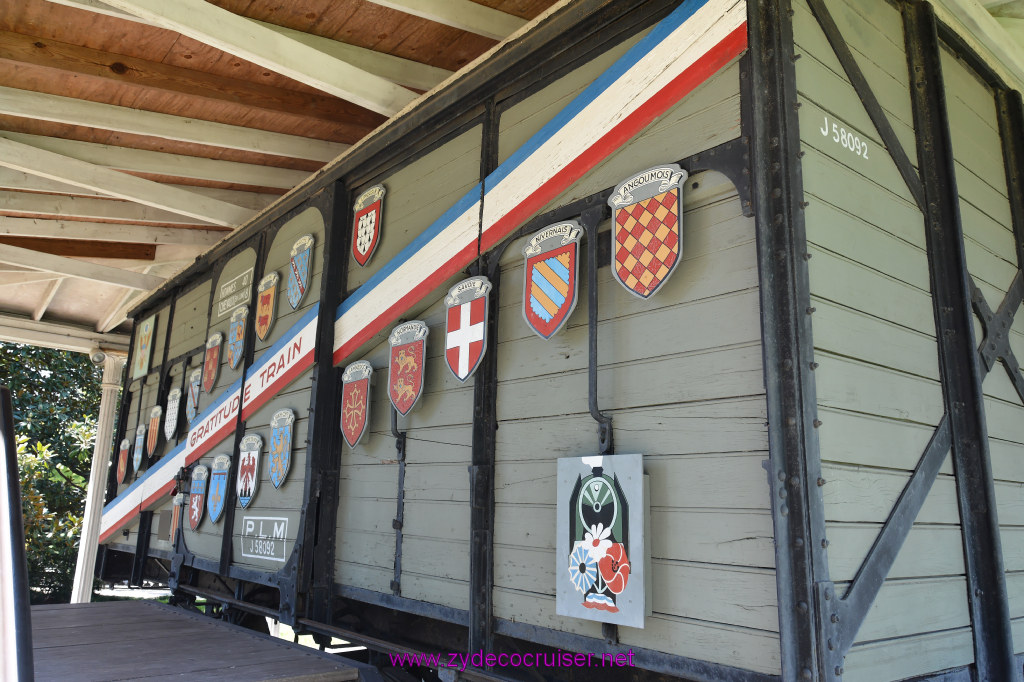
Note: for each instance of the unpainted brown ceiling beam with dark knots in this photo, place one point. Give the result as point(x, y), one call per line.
point(353, 122)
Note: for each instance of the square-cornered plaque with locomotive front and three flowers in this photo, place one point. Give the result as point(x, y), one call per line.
point(600, 571)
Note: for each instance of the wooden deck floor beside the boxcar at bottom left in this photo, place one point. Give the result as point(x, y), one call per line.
point(146, 641)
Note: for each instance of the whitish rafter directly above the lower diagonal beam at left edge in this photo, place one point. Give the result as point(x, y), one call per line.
point(145, 161)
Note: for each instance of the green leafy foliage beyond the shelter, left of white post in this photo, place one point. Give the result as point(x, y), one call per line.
point(56, 399)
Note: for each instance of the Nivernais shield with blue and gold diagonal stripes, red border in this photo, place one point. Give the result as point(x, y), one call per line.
point(550, 284)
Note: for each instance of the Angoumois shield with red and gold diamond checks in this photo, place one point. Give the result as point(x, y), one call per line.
point(648, 229)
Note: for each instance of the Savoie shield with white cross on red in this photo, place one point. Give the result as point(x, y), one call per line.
point(466, 332)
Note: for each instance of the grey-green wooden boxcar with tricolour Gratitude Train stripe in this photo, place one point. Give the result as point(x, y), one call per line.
point(822, 377)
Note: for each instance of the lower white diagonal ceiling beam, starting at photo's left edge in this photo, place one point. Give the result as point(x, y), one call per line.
point(29, 159)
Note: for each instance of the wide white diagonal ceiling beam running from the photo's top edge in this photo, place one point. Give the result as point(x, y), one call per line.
point(254, 42)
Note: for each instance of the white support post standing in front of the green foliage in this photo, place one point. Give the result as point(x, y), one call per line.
point(82, 590)
